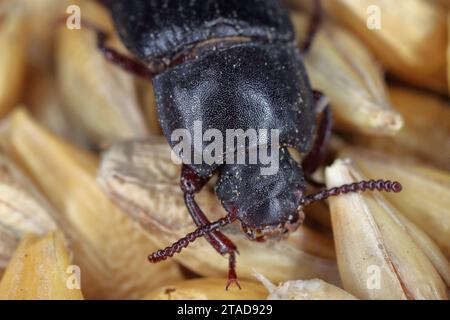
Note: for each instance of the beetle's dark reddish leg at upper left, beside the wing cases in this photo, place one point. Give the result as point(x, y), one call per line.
point(128, 64)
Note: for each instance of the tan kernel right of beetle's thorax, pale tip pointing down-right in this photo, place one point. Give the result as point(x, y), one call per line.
point(339, 65)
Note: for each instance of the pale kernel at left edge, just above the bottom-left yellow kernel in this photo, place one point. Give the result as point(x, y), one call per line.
point(22, 210)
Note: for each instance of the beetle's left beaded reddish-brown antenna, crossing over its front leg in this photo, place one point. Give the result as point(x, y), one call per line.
point(176, 247)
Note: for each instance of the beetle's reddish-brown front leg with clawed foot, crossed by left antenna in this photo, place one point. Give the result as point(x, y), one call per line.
point(191, 183)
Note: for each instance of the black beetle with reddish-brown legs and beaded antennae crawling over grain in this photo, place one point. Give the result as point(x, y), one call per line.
point(232, 64)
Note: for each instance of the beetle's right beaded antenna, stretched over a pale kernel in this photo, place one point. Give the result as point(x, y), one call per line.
point(380, 185)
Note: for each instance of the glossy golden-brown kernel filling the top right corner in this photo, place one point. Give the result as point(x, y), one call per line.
point(411, 39)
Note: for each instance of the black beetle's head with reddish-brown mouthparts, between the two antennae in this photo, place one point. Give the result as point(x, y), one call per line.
point(268, 206)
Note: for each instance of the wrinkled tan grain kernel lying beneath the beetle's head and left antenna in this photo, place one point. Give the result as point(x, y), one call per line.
point(140, 177)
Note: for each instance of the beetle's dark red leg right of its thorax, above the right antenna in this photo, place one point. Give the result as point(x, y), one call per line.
point(316, 156)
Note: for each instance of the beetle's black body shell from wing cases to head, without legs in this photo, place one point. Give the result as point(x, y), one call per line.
point(243, 70)
